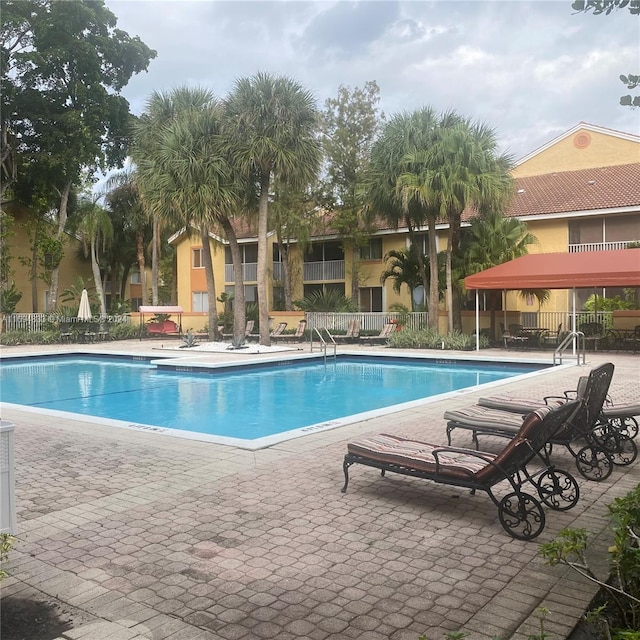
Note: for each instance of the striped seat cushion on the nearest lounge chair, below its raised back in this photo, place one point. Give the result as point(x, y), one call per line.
point(419, 455)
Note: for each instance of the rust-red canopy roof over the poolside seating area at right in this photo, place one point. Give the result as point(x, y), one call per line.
point(620, 268)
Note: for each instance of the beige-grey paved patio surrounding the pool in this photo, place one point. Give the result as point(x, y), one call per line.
point(145, 537)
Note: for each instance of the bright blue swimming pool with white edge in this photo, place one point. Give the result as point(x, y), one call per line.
point(248, 405)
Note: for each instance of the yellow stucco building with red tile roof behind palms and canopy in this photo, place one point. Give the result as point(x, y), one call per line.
point(580, 191)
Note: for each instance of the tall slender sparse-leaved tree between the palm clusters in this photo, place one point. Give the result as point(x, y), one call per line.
point(349, 125)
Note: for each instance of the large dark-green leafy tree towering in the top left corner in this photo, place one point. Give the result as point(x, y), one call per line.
point(63, 67)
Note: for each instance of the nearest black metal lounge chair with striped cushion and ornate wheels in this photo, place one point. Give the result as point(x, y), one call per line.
point(520, 514)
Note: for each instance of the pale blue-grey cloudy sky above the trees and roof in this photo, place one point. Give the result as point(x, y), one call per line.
point(530, 70)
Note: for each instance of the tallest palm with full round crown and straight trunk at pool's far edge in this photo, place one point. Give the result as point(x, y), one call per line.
point(272, 123)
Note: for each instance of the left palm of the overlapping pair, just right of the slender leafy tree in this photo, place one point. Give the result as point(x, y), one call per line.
point(397, 191)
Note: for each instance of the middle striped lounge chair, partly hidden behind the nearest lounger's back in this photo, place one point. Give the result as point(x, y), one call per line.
point(599, 445)
